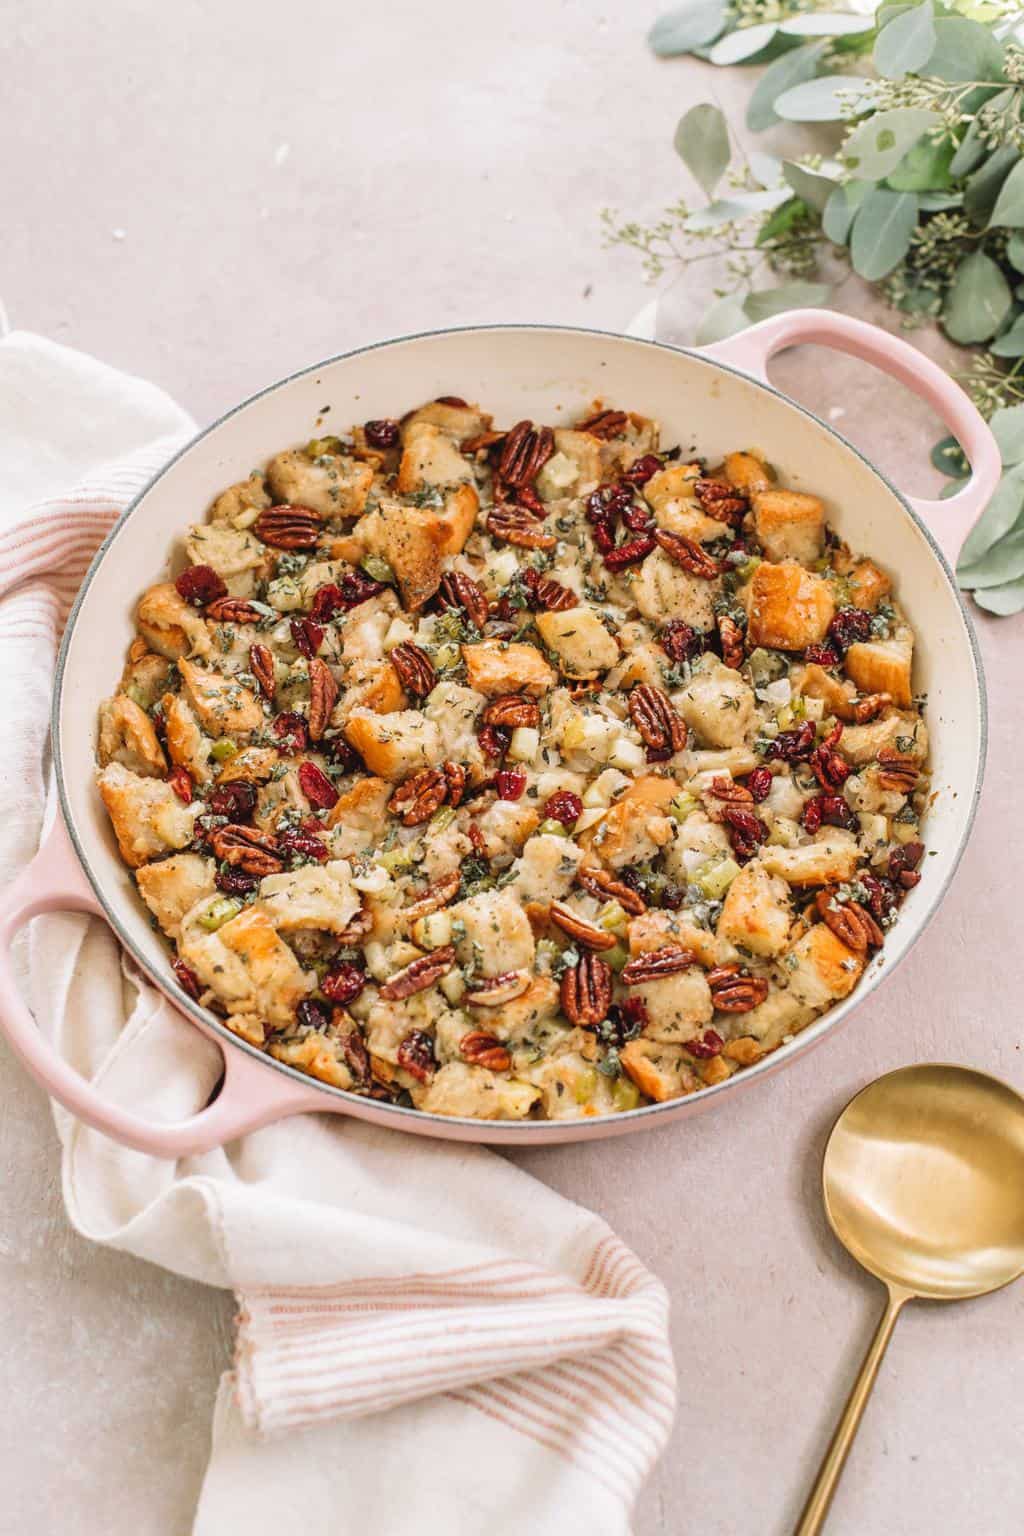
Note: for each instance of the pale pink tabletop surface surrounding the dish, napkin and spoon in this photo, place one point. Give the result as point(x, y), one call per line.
point(213, 196)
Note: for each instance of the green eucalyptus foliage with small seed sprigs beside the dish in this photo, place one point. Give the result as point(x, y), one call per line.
point(925, 197)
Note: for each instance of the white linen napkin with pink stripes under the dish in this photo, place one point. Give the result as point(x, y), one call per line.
point(429, 1340)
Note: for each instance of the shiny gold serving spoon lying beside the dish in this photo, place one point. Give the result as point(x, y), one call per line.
point(925, 1187)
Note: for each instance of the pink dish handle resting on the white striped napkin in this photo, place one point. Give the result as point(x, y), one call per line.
point(249, 1096)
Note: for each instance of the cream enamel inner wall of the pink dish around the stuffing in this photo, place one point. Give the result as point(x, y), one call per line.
point(550, 376)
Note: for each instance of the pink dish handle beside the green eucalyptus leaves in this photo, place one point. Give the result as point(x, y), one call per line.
point(950, 521)
